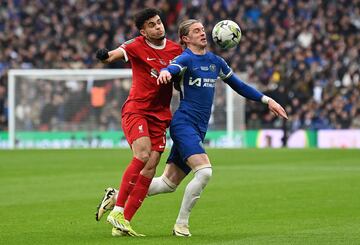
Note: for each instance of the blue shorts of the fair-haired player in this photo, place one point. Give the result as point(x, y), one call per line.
point(188, 140)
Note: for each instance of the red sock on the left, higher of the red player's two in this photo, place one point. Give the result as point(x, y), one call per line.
point(128, 181)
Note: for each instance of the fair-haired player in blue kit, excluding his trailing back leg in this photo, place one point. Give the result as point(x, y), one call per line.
point(199, 70)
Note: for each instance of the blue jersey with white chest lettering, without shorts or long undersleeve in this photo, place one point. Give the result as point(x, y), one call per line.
point(197, 86)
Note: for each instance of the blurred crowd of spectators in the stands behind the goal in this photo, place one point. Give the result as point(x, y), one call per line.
point(305, 54)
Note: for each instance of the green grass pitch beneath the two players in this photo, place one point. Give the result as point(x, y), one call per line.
point(254, 197)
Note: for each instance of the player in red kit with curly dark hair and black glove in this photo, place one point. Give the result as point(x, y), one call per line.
point(145, 114)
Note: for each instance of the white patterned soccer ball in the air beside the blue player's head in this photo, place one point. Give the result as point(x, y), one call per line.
point(226, 34)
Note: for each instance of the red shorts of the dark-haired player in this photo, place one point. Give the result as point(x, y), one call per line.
point(136, 126)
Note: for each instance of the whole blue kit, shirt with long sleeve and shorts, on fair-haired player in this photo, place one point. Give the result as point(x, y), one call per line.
point(199, 74)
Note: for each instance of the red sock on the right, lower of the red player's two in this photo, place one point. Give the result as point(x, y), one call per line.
point(137, 196)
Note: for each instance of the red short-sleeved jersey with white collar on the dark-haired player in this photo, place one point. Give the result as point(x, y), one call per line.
point(146, 97)
